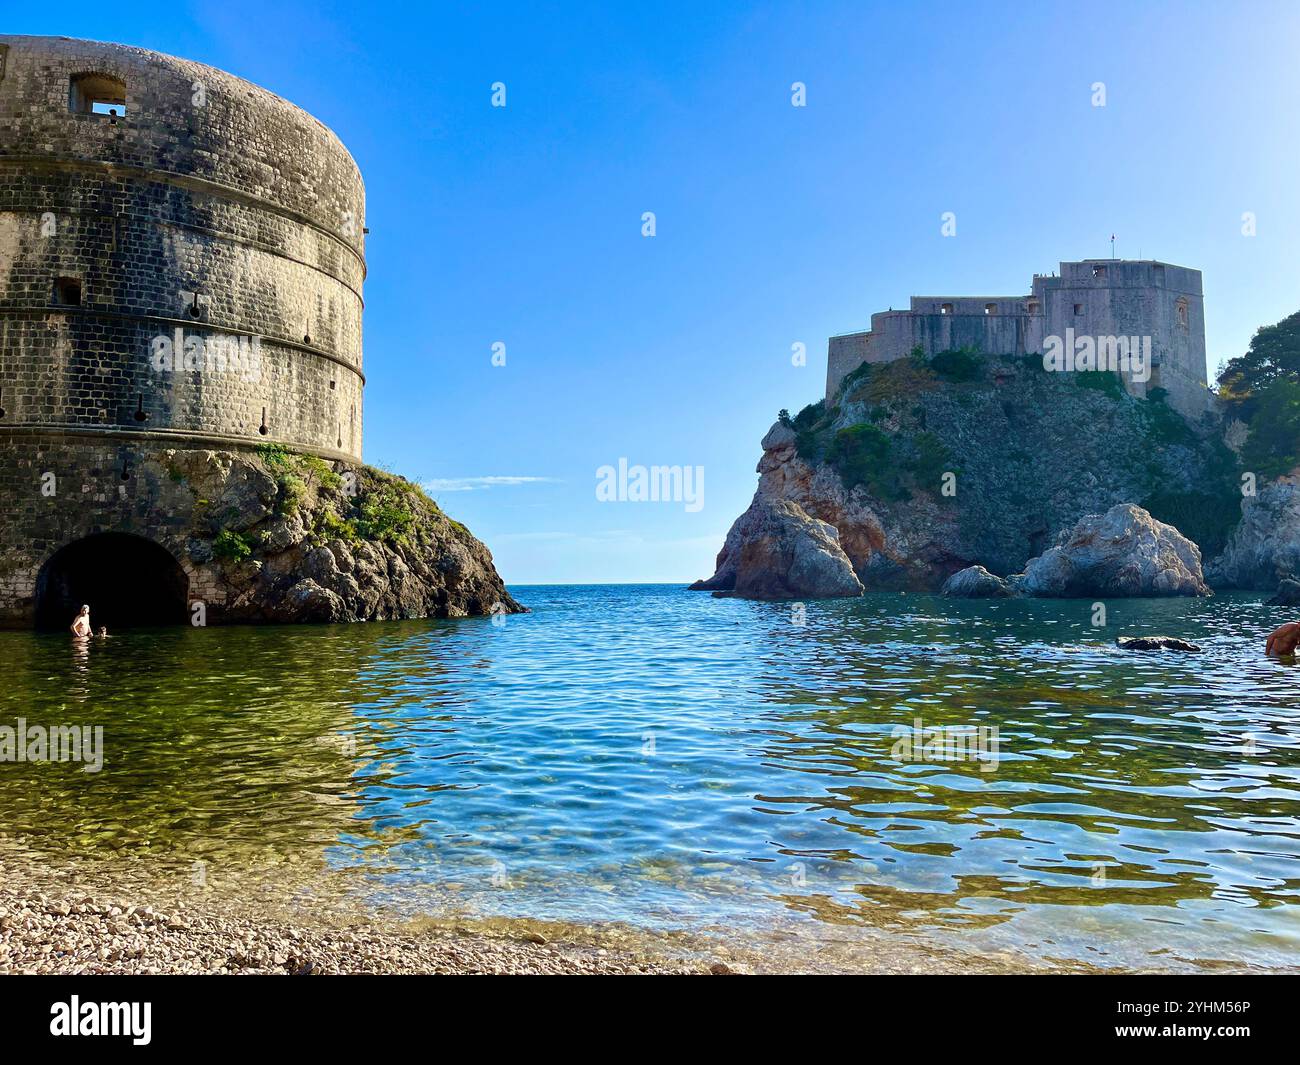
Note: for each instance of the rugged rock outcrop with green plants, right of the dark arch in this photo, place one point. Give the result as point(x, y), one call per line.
point(287, 538)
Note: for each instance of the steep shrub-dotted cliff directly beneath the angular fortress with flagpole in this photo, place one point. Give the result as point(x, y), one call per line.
point(926, 467)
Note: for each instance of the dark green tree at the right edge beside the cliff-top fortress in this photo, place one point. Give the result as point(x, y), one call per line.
point(1263, 388)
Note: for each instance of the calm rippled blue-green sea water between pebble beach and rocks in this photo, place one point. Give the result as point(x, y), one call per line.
point(658, 757)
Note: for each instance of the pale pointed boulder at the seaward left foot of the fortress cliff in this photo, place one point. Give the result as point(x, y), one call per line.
point(786, 555)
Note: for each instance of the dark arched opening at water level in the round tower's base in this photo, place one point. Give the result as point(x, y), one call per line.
point(127, 581)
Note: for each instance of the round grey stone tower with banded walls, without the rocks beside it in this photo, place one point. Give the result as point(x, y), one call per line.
point(181, 267)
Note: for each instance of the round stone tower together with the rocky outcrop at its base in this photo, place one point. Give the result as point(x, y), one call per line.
point(181, 269)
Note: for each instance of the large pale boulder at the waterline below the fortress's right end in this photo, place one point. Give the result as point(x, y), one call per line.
point(1121, 553)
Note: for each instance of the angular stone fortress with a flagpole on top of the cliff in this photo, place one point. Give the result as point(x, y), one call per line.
point(1094, 297)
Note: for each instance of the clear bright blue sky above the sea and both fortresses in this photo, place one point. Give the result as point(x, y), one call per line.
point(775, 224)
